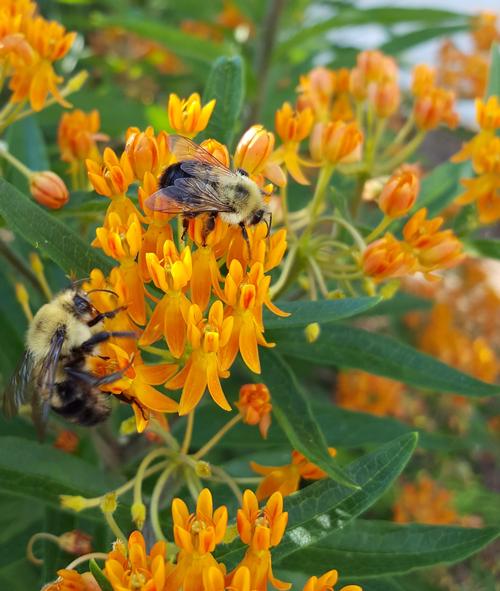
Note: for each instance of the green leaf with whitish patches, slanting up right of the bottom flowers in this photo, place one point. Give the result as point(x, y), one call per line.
point(322, 508)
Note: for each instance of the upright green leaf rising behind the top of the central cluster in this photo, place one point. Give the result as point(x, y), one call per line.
point(226, 85)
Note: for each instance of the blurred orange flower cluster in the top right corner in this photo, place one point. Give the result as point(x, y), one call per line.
point(466, 72)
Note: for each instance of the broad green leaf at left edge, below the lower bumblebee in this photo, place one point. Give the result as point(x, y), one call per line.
point(41, 472)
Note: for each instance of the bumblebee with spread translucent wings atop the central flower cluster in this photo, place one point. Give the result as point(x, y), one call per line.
point(199, 183)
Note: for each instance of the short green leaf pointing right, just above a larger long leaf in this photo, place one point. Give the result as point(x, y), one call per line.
point(304, 312)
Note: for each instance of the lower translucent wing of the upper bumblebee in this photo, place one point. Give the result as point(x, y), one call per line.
point(188, 195)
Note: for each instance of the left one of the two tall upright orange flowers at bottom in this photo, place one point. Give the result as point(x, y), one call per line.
point(196, 534)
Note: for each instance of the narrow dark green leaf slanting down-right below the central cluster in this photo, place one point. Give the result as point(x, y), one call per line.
point(294, 415)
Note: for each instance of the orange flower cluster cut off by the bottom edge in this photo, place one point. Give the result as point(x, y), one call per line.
point(194, 566)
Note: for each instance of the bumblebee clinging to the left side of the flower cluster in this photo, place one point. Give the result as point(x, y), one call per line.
point(53, 373)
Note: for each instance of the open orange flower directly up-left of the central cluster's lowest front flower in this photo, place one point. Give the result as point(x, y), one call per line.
point(168, 318)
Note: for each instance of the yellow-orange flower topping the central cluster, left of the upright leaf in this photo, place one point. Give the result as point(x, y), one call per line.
point(187, 116)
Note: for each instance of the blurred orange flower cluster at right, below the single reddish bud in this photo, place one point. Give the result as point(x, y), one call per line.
point(425, 249)
